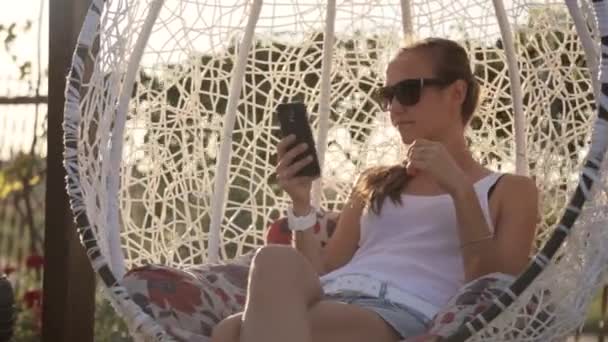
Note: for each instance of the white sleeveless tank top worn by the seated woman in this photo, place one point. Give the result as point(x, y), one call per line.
point(415, 246)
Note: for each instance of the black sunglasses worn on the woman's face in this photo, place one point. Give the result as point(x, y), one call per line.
point(407, 92)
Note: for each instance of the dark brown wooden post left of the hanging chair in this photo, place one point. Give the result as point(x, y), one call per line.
point(69, 282)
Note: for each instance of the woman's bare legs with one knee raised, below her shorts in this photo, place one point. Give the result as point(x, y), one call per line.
point(284, 305)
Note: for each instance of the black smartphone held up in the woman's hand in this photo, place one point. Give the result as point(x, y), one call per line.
point(293, 119)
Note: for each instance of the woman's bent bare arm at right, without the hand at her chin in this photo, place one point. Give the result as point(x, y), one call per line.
point(515, 228)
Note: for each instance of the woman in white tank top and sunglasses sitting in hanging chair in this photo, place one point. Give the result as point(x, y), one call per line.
point(409, 235)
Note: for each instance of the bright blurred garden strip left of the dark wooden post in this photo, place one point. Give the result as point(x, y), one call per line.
point(23, 110)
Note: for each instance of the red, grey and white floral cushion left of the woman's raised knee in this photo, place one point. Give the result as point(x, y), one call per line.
point(188, 303)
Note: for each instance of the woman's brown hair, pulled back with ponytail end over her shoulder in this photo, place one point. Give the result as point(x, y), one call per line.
point(450, 62)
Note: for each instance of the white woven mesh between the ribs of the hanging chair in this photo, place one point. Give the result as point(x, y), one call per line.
point(177, 112)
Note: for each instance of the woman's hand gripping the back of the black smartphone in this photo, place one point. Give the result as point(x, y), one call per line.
point(298, 188)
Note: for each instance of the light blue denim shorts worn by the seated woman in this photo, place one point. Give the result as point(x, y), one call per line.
point(406, 321)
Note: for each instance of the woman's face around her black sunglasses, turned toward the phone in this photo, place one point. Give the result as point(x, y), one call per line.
point(434, 114)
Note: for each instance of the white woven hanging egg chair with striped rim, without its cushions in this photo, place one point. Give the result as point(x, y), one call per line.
point(170, 132)
